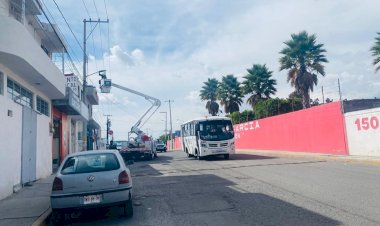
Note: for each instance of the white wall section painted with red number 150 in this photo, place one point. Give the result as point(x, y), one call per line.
point(363, 132)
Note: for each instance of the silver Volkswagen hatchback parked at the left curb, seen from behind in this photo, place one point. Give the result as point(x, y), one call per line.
point(91, 179)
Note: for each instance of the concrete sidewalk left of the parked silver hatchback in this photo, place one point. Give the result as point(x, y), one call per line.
point(29, 206)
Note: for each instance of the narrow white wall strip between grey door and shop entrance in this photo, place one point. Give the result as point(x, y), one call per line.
point(44, 147)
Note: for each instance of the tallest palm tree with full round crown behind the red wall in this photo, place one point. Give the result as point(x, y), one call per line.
point(303, 57)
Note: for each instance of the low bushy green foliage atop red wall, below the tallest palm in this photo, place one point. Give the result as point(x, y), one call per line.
point(272, 107)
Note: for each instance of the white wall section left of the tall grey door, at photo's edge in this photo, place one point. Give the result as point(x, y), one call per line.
point(10, 143)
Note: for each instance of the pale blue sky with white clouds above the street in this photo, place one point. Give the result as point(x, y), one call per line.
point(167, 49)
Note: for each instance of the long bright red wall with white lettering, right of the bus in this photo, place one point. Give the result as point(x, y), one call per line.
point(318, 129)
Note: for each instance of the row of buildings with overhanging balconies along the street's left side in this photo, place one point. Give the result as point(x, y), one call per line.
point(42, 119)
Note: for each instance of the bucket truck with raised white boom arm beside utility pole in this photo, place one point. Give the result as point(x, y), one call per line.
point(139, 145)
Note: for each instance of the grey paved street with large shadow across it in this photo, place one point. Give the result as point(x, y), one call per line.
point(249, 190)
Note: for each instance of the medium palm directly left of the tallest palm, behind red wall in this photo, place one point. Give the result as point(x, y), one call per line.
point(258, 82)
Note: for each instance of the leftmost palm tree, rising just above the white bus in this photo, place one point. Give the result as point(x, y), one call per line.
point(209, 93)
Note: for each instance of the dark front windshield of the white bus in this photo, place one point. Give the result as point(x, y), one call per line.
point(216, 130)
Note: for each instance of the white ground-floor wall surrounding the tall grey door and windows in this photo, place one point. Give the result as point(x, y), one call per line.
point(11, 137)
